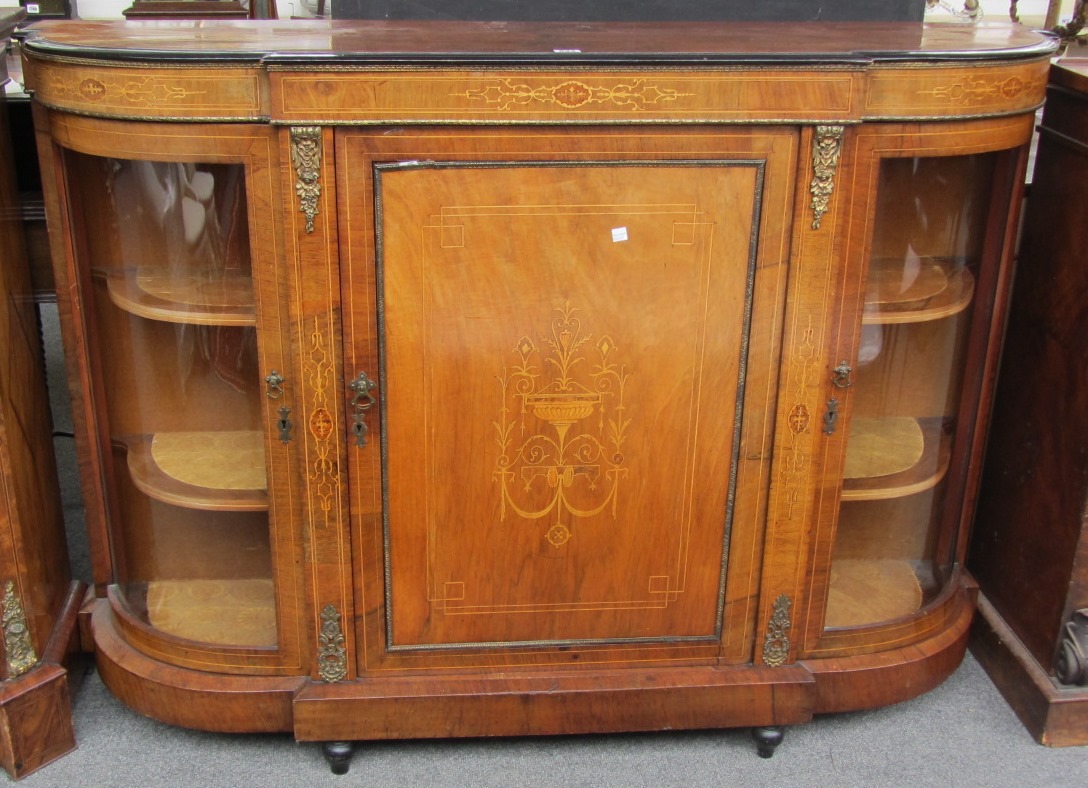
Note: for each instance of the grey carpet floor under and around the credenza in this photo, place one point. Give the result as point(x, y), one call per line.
point(962, 734)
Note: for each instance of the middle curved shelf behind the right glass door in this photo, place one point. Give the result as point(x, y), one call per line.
point(891, 458)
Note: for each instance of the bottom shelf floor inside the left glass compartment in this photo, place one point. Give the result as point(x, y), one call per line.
point(229, 612)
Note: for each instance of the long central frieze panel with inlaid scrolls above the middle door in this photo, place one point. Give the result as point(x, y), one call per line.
point(553, 97)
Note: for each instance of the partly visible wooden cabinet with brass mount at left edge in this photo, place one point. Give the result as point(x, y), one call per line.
point(39, 602)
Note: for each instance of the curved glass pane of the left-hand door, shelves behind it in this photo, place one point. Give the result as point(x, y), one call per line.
point(167, 250)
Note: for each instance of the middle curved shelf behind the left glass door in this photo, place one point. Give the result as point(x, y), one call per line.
point(222, 472)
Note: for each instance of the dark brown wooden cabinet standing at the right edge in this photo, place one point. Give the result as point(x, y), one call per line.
point(1030, 548)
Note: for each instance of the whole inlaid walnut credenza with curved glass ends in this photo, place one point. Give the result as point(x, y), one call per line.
point(498, 379)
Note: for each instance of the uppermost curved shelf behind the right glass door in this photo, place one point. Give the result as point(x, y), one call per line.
point(936, 289)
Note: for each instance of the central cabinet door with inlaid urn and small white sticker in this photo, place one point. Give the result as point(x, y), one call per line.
point(564, 353)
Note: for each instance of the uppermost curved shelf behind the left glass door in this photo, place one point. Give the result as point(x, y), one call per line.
point(226, 299)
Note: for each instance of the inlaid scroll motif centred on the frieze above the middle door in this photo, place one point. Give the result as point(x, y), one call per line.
point(572, 94)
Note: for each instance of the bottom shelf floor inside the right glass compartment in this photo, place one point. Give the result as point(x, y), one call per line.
point(870, 592)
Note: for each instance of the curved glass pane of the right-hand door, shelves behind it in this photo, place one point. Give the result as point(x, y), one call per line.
point(899, 509)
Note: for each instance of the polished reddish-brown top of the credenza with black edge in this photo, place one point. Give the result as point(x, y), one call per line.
point(458, 45)
